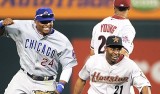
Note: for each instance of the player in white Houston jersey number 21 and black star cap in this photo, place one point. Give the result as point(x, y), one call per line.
point(112, 72)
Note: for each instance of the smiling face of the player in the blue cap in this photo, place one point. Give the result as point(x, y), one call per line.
point(44, 27)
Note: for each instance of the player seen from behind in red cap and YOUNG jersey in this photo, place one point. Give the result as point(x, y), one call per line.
point(118, 25)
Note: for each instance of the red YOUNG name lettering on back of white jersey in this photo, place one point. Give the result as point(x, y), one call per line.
point(108, 28)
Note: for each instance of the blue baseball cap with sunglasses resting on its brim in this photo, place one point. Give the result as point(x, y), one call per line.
point(44, 14)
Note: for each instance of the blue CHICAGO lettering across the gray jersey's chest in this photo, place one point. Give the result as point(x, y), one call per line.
point(39, 47)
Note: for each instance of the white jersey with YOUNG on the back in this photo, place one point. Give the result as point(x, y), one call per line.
point(112, 26)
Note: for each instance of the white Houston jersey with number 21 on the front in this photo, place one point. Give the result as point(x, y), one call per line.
point(115, 79)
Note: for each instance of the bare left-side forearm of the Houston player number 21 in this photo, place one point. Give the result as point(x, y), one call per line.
point(78, 88)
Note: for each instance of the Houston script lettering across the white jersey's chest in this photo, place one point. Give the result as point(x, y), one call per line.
point(97, 77)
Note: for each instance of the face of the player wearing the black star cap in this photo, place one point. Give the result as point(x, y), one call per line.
point(112, 54)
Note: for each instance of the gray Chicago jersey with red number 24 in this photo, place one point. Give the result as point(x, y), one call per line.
point(40, 55)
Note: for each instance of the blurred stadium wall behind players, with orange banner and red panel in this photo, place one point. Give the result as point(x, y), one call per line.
point(76, 19)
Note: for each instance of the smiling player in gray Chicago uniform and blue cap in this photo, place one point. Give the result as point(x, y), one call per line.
point(41, 49)
